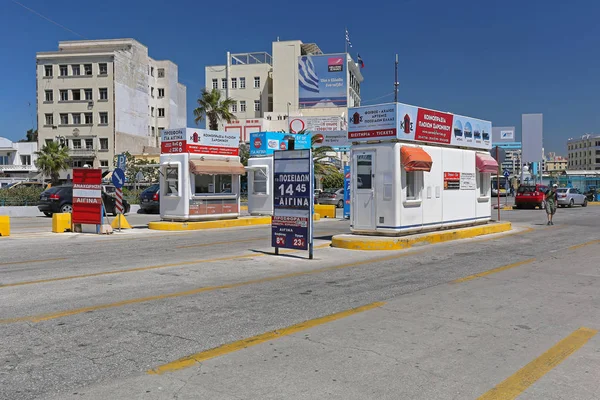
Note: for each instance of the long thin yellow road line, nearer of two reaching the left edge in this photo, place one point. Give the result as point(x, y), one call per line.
point(67, 313)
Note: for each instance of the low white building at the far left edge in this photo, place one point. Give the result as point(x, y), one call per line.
point(17, 161)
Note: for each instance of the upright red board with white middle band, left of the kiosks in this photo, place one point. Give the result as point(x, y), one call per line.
point(87, 196)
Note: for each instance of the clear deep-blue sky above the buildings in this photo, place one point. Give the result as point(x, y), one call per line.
point(490, 60)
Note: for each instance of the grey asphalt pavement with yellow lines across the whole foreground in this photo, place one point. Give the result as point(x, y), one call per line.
point(214, 314)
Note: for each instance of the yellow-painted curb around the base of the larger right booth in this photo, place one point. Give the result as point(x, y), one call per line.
point(358, 242)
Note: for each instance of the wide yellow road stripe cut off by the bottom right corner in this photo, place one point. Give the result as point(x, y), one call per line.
point(515, 385)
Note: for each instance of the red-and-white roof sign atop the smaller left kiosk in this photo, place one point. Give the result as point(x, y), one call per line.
point(199, 141)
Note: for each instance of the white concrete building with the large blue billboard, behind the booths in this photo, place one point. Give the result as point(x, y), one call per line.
point(266, 87)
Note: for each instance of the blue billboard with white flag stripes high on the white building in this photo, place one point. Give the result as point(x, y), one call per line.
point(322, 81)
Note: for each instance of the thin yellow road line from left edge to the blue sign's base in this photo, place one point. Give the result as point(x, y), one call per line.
point(150, 268)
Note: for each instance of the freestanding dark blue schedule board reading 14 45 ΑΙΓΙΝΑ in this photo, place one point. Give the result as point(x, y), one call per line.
point(293, 201)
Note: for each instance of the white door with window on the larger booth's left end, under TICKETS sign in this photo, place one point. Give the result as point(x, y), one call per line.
point(363, 206)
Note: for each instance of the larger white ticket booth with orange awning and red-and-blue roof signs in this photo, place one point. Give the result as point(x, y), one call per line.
point(415, 169)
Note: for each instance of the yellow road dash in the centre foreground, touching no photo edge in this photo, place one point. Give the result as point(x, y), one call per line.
point(193, 359)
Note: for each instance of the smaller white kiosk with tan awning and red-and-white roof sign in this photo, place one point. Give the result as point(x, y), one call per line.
point(199, 175)
